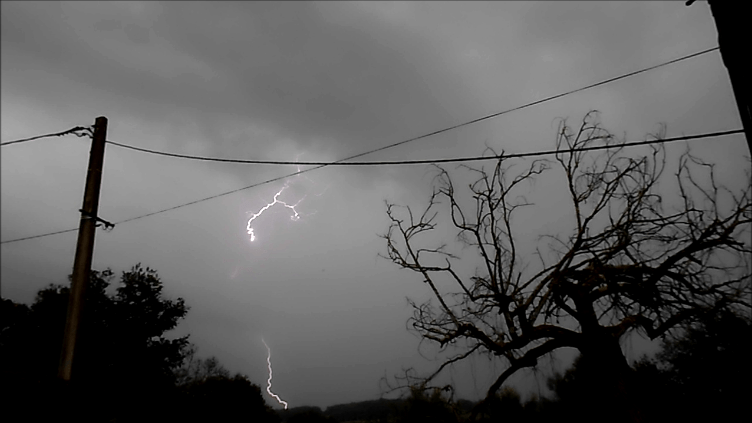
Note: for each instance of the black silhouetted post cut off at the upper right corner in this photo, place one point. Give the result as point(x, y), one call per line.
point(733, 39)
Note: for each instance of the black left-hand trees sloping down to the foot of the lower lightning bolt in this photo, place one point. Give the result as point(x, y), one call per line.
point(126, 369)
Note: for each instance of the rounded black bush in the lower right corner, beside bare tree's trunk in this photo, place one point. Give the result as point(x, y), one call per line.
point(703, 373)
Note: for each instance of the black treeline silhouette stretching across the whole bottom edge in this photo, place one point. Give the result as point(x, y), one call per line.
point(127, 370)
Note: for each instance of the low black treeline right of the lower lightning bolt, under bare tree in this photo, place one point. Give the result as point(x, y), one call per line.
point(702, 375)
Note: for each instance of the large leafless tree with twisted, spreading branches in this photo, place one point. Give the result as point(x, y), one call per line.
point(635, 259)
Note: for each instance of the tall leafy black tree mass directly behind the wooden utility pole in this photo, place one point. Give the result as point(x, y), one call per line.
point(124, 363)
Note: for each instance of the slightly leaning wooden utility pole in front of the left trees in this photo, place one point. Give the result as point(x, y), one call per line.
point(84, 248)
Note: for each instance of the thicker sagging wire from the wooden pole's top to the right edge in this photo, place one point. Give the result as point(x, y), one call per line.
point(429, 161)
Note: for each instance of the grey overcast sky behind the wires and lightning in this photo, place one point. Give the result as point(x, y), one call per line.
point(313, 81)
